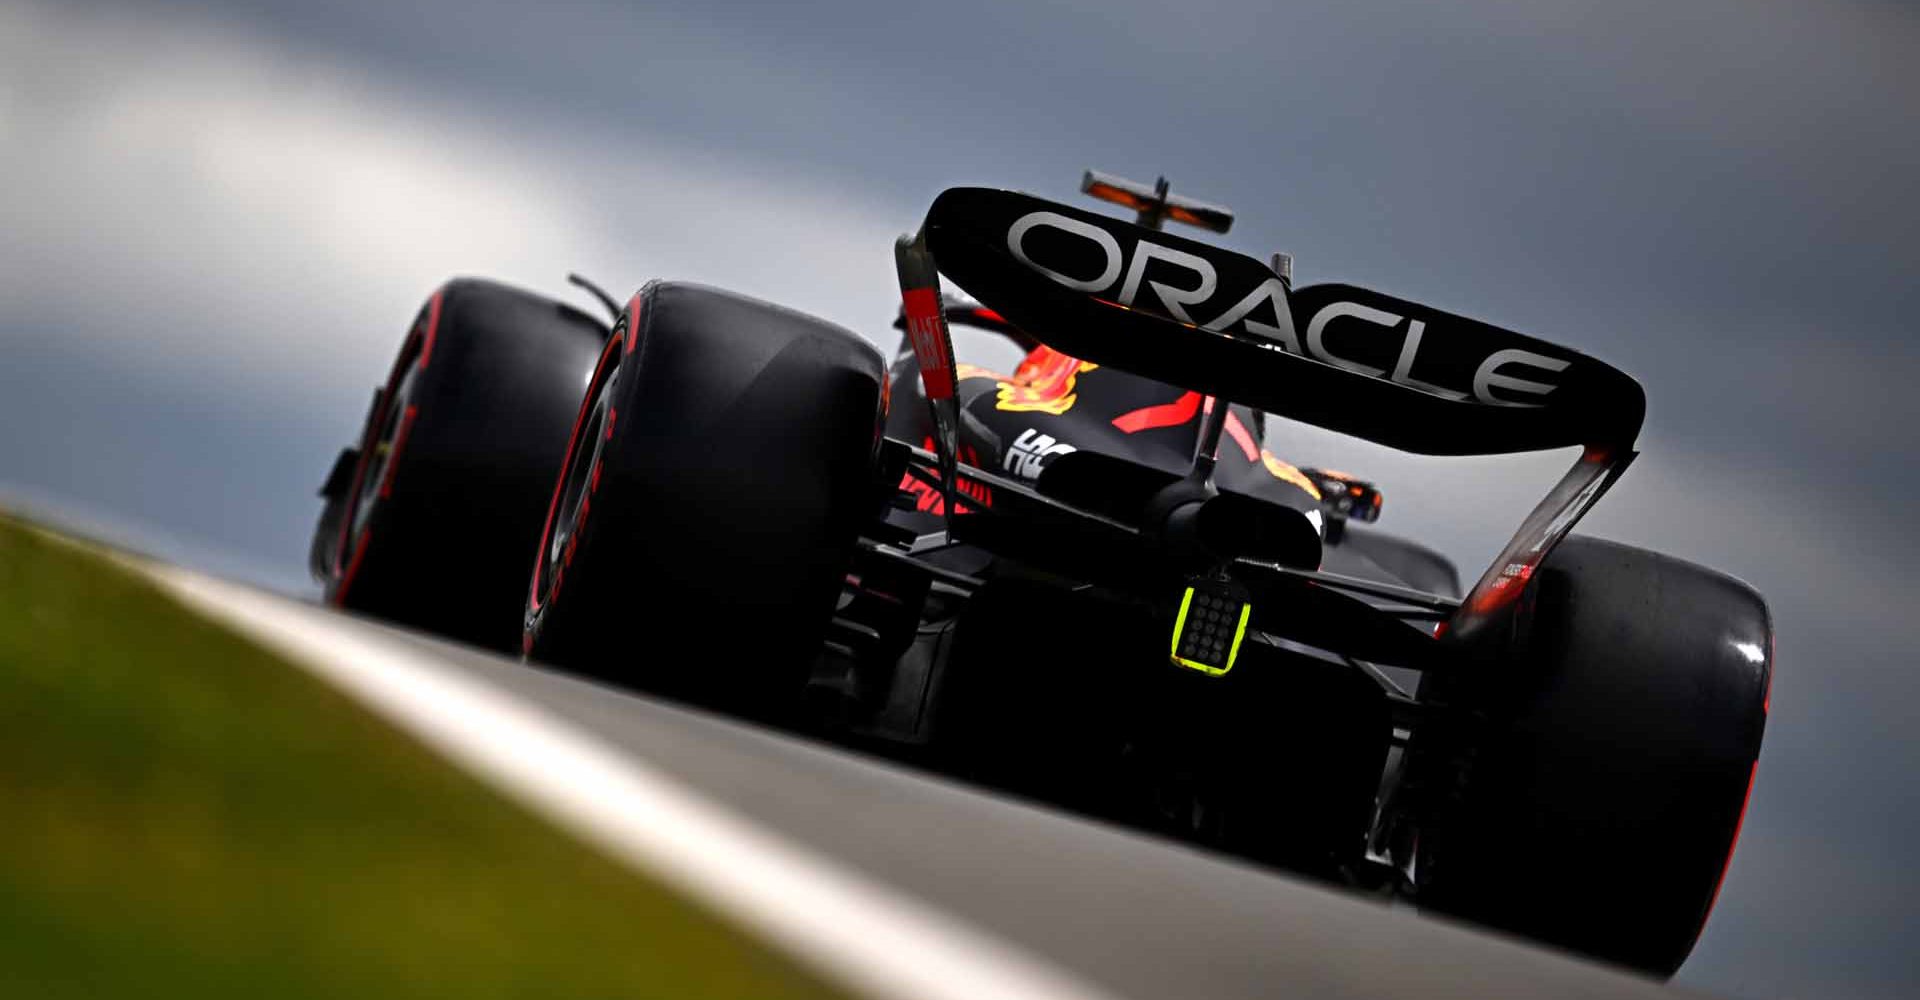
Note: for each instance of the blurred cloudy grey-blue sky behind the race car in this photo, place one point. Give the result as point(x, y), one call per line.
point(218, 220)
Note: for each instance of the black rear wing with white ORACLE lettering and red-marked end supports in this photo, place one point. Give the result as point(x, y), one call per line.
point(1335, 356)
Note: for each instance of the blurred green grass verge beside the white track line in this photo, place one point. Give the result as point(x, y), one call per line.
point(183, 813)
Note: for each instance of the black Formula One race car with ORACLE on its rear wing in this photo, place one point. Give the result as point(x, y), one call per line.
point(1092, 581)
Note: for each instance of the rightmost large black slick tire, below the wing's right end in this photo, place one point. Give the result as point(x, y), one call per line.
point(1623, 725)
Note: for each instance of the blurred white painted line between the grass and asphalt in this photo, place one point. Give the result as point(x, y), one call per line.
point(846, 926)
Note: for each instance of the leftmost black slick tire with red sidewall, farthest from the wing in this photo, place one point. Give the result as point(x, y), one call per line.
point(458, 460)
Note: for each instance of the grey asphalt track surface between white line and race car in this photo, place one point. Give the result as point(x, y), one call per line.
point(1130, 915)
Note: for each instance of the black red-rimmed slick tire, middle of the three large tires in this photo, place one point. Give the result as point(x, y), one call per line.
point(713, 488)
